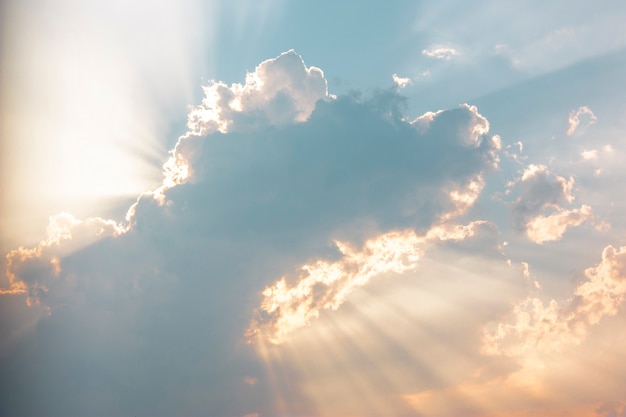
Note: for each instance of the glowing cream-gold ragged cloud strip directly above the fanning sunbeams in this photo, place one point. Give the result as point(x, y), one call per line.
point(326, 285)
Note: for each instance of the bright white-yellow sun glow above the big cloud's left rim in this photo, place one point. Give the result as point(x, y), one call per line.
point(87, 103)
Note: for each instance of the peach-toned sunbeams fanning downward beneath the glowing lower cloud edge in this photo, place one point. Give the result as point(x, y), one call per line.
point(379, 346)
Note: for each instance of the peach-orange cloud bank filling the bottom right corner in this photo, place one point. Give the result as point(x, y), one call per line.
point(540, 351)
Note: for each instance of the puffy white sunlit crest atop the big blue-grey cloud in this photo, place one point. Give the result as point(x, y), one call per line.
point(281, 90)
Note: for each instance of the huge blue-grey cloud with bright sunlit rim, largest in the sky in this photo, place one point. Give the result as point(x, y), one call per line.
point(269, 174)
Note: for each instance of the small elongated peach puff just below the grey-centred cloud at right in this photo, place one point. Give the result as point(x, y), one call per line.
point(542, 229)
